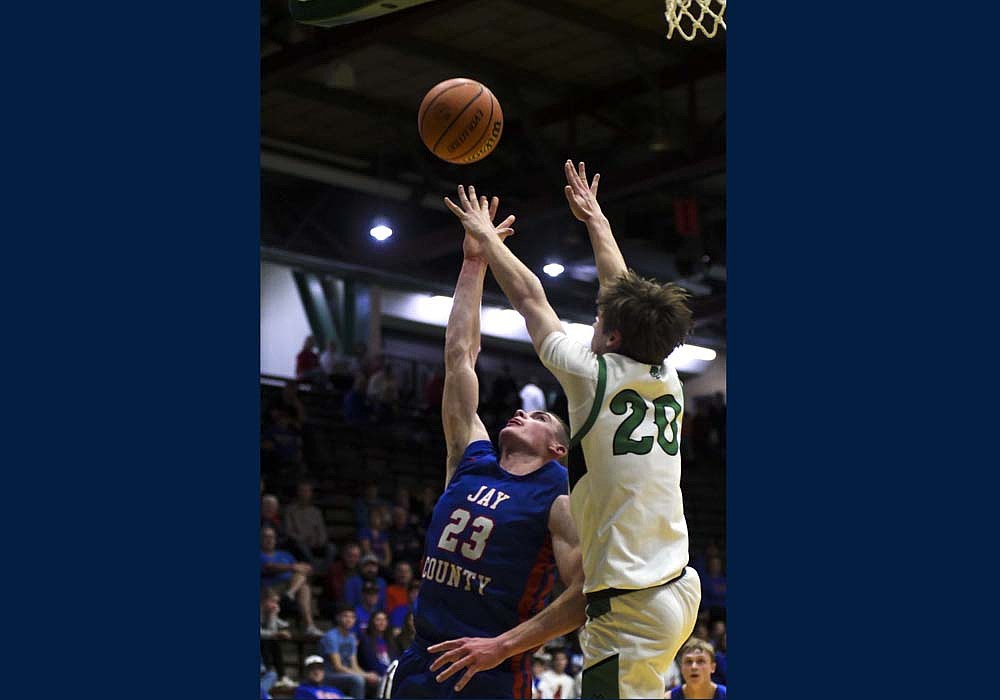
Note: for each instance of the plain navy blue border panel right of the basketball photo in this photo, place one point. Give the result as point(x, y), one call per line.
point(856, 253)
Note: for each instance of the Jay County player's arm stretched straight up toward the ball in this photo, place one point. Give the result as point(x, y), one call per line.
point(461, 348)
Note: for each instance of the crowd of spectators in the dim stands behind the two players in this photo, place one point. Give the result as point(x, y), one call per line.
point(368, 582)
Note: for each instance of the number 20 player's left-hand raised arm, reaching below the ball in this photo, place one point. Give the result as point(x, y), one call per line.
point(519, 284)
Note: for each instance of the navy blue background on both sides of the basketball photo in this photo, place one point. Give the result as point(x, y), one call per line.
point(132, 354)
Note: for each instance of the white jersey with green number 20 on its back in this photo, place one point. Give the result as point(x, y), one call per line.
point(625, 486)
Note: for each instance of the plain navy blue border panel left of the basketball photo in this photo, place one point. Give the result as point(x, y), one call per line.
point(131, 349)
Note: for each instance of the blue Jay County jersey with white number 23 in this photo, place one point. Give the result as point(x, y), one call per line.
point(488, 561)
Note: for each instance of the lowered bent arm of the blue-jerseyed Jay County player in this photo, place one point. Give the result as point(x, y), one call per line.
point(565, 614)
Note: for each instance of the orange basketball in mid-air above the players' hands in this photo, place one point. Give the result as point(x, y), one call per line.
point(460, 120)
